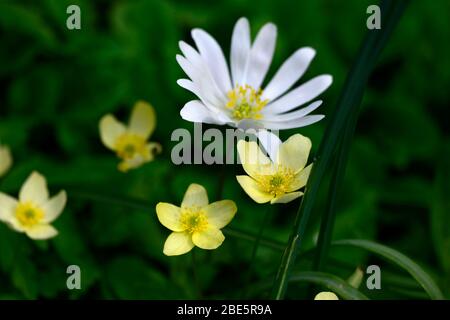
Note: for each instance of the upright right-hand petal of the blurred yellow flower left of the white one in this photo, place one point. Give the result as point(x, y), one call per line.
point(143, 119)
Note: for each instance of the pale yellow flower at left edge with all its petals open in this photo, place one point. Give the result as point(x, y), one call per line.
point(34, 212)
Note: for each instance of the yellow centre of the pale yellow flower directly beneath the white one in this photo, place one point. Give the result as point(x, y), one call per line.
point(277, 184)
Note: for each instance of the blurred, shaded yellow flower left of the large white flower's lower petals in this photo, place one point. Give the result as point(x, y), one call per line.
point(131, 142)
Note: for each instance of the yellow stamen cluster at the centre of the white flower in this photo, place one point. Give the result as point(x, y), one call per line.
point(245, 103)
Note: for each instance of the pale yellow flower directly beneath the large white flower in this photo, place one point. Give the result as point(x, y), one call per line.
point(276, 181)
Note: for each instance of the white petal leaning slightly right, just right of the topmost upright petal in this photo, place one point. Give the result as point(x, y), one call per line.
point(261, 55)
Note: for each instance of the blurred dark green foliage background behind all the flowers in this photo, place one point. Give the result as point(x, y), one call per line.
point(57, 83)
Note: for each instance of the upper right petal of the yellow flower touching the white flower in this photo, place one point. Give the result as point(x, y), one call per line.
point(294, 152)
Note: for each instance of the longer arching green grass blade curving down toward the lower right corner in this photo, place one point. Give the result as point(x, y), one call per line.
point(399, 259)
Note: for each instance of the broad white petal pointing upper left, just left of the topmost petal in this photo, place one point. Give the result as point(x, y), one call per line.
point(213, 56)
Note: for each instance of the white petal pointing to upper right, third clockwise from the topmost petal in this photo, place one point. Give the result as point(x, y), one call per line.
point(291, 70)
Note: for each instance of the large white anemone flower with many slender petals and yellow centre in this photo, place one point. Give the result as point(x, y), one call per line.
point(236, 97)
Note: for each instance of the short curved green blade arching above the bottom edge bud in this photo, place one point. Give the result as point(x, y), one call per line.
point(331, 282)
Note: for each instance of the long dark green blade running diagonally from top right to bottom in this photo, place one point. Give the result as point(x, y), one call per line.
point(348, 104)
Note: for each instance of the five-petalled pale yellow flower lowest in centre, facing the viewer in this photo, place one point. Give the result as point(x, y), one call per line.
point(196, 223)
